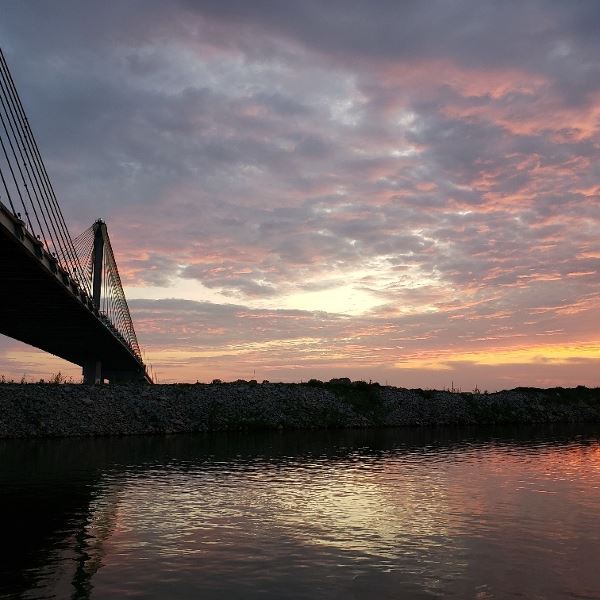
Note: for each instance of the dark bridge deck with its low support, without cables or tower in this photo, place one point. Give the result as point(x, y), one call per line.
point(41, 306)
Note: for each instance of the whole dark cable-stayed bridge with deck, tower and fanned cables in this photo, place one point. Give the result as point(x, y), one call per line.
point(58, 293)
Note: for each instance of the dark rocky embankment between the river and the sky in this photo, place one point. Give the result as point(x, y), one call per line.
point(47, 410)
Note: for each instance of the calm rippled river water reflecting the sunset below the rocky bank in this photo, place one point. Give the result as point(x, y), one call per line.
point(383, 514)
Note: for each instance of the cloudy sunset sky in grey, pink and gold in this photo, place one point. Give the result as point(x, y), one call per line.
point(405, 192)
